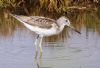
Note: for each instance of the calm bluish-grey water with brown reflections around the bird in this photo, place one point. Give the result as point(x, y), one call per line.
point(67, 50)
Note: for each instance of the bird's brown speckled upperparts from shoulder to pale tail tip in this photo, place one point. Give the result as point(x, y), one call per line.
point(39, 21)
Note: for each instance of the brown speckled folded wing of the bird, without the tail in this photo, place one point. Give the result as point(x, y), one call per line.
point(41, 22)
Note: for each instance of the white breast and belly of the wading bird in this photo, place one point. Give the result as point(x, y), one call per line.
point(42, 31)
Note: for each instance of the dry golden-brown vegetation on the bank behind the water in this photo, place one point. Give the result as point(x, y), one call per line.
point(58, 6)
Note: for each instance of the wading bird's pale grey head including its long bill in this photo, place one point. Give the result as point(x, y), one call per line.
point(65, 21)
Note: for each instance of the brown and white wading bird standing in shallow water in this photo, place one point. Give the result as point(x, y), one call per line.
point(44, 26)
